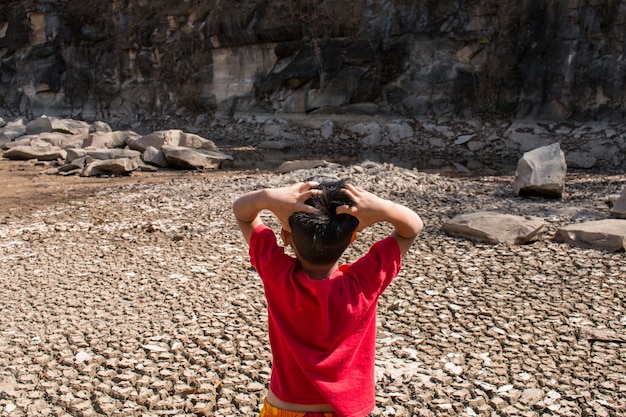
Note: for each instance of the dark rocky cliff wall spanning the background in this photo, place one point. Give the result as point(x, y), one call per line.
point(525, 58)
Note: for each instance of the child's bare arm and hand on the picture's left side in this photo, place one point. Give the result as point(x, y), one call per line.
point(281, 201)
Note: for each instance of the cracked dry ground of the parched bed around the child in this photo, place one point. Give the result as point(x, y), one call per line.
point(134, 297)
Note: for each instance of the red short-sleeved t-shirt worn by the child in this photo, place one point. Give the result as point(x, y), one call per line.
point(323, 332)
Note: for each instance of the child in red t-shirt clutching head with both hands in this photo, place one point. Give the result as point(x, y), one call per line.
point(322, 315)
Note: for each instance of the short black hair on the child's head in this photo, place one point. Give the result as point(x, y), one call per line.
point(321, 238)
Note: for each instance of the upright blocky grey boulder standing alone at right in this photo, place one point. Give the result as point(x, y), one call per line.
point(541, 172)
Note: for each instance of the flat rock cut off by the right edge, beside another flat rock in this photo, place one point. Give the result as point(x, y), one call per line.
point(608, 235)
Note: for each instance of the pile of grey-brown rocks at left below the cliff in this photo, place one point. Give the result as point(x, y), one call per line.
point(80, 148)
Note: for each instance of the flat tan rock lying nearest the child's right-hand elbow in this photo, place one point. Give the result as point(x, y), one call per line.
point(492, 227)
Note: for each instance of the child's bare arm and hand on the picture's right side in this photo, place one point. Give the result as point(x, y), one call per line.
point(371, 209)
